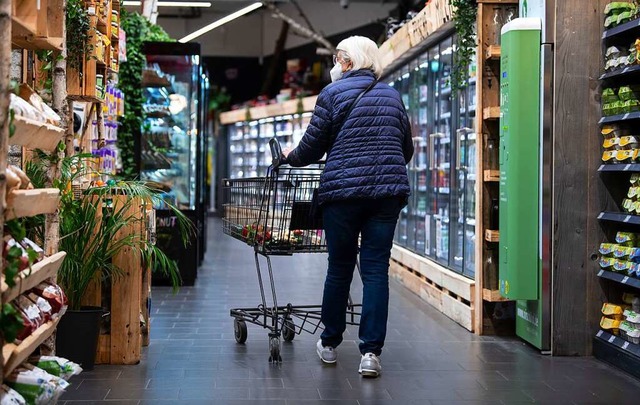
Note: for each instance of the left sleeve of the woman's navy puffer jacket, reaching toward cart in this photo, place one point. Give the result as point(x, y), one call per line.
point(315, 142)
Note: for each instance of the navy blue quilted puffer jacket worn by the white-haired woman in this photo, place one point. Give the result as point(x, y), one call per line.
point(369, 155)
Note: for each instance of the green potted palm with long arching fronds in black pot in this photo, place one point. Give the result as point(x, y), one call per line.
point(90, 226)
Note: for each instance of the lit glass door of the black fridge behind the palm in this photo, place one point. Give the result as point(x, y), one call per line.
point(169, 144)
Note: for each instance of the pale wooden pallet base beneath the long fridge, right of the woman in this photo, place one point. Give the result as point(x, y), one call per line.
point(451, 293)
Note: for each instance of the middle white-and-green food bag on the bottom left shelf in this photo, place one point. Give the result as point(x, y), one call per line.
point(36, 385)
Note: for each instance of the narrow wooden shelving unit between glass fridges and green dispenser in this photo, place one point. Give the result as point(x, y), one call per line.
point(488, 123)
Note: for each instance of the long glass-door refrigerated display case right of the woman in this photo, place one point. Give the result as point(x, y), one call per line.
point(439, 220)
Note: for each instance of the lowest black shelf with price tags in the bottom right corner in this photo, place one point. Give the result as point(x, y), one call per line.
point(617, 351)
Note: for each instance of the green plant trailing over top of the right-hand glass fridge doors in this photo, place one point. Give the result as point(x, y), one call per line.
point(464, 18)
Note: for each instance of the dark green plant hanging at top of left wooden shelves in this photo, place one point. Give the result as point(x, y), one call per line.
point(79, 29)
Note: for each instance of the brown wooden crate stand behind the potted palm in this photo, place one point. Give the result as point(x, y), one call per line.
point(123, 342)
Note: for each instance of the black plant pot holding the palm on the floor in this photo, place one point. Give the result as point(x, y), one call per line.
point(77, 336)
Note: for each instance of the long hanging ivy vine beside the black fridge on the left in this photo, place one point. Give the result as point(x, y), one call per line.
point(138, 30)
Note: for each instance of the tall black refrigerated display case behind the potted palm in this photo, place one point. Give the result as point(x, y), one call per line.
point(170, 146)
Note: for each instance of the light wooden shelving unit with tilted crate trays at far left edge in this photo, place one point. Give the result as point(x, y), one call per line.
point(34, 25)
